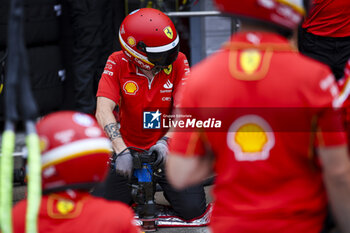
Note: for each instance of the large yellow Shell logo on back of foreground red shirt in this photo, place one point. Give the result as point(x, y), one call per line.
point(250, 138)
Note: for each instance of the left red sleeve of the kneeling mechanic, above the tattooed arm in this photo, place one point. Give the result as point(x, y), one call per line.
point(109, 86)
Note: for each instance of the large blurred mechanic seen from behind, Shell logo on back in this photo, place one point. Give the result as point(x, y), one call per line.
point(268, 177)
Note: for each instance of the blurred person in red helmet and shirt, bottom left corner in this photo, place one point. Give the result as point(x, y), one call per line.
point(75, 153)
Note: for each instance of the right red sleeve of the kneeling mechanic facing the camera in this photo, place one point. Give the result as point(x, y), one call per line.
point(182, 72)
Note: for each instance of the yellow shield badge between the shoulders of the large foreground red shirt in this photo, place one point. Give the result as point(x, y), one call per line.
point(250, 60)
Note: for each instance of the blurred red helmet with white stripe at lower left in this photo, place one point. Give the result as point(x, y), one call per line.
point(75, 151)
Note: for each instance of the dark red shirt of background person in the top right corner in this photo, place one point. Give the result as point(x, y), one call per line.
point(330, 18)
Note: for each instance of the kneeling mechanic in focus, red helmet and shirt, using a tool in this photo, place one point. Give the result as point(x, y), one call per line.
point(146, 74)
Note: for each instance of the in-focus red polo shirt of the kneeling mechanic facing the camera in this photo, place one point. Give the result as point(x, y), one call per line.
point(128, 87)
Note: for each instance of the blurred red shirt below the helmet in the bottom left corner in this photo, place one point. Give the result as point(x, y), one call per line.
point(84, 213)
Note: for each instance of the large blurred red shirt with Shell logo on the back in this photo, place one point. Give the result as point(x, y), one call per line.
point(267, 179)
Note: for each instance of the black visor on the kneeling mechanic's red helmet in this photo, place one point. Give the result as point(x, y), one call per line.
point(164, 58)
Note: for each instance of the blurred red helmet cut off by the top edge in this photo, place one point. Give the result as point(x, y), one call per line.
point(284, 13)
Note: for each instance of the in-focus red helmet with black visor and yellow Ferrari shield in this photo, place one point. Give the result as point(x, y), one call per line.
point(148, 38)
